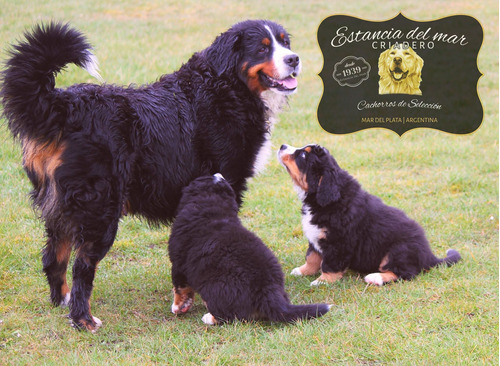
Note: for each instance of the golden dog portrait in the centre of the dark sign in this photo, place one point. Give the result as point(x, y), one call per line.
point(400, 71)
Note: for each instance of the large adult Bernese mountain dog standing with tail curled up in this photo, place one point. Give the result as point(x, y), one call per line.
point(96, 152)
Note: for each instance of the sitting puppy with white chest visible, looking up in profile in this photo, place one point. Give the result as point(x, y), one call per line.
point(348, 228)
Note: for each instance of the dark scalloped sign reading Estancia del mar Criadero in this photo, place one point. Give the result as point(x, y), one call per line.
point(400, 74)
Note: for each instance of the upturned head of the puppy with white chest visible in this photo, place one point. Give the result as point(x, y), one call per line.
point(314, 172)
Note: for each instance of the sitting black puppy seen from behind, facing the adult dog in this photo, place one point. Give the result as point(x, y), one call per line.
point(211, 252)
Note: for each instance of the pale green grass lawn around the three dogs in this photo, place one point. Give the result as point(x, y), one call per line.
point(448, 183)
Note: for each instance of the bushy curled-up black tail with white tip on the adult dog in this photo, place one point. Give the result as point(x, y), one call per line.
point(28, 80)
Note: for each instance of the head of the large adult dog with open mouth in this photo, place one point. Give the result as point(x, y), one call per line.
point(258, 51)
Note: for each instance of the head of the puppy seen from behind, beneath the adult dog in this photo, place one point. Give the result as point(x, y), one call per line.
point(211, 191)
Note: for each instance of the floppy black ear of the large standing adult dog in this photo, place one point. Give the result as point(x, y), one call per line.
point(224, 54)
